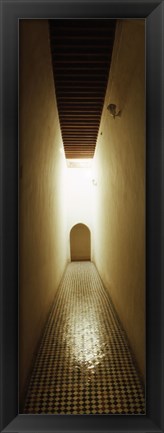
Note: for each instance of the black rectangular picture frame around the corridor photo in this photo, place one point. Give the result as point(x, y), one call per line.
point(153, 13)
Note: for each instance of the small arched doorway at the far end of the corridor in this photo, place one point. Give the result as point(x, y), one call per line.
point(80, 242)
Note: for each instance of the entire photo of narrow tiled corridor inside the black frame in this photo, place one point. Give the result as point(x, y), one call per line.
point(82, 314)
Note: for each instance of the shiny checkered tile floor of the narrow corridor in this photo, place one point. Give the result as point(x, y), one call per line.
point(84, 365)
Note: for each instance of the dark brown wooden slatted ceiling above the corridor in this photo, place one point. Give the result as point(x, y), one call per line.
point(81, 56)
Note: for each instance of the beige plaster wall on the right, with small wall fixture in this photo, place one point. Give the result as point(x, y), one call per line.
point(119, 197)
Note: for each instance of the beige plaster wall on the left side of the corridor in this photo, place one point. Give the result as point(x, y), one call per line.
point(43, 252)
